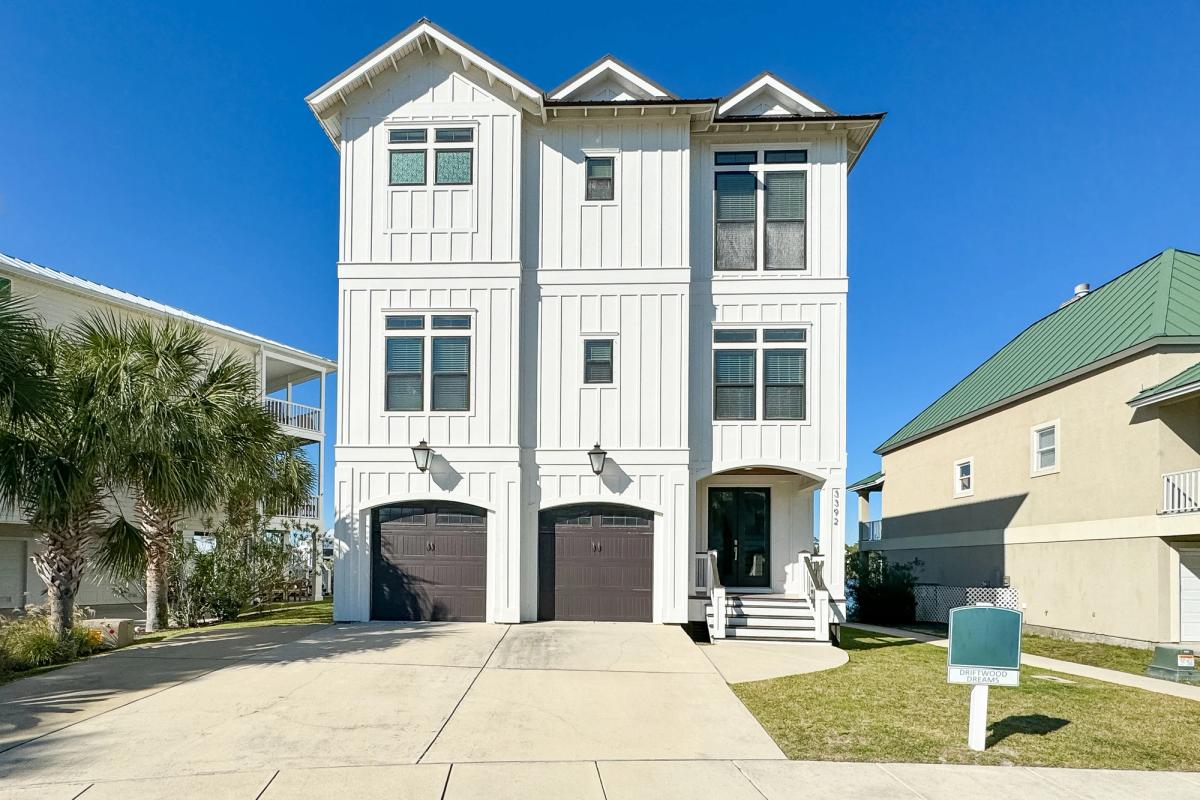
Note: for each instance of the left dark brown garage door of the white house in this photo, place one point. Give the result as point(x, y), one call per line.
point(429, 562)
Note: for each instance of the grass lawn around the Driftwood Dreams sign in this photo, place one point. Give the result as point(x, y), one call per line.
point(892, 703)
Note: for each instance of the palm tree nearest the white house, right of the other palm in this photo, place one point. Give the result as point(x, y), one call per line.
point(173, 401)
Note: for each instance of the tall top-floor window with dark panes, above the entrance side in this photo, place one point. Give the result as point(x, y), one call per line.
point(760, 210)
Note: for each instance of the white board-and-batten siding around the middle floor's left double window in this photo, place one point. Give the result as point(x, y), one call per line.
point(491, 420)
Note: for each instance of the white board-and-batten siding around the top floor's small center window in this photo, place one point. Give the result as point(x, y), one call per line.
point(644, 226)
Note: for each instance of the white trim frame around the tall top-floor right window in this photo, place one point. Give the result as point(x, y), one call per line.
point(759, 171)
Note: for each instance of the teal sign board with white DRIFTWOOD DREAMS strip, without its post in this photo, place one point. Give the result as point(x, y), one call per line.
point(986, 645)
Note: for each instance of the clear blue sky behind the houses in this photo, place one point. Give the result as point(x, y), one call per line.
point(167, 151)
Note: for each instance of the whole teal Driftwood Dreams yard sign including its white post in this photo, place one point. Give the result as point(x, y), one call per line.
point(986, 651)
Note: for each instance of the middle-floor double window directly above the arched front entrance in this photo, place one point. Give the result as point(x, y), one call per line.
point(760, 374)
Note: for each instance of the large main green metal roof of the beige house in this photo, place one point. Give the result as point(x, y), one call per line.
point(1157, 298)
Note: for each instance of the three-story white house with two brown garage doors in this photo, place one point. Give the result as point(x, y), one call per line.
point(586, 338)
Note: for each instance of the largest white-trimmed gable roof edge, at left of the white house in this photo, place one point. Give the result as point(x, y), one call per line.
point(419, 38)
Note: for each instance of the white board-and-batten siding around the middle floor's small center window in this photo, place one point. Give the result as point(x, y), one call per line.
point(646, 405)
